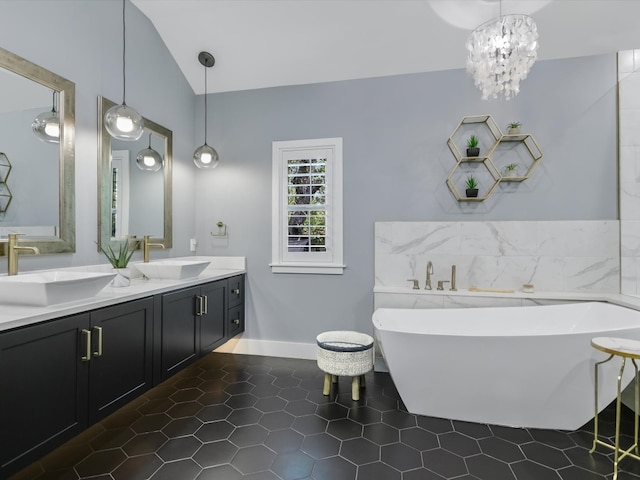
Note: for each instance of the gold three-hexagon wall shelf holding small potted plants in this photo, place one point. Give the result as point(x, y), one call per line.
point(498, 151)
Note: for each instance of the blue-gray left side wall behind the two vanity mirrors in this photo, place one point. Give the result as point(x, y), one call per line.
point(81, 41)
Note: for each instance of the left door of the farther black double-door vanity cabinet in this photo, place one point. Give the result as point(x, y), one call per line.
point(180, 335)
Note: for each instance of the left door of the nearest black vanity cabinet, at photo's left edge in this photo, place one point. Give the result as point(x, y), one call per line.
point(43, 389)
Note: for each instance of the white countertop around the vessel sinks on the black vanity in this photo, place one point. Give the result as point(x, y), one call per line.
point(12, 316)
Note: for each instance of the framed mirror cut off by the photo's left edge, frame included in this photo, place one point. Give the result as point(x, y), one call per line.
point(37, 178)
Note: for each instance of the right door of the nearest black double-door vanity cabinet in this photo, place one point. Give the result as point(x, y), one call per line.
point(122, 353)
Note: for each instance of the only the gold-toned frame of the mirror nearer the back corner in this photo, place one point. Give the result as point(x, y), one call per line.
point(104, 177)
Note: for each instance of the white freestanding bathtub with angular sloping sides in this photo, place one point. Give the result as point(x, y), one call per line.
point(513, 366)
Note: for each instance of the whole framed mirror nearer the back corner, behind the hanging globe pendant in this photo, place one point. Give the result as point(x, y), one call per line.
point(133, 202)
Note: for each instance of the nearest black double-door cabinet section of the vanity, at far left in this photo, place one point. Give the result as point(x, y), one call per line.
point(58, 377)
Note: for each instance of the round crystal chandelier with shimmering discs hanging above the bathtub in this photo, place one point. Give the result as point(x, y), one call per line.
point(501, 53)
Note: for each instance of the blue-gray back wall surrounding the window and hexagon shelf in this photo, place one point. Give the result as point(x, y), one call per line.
point(395, 165)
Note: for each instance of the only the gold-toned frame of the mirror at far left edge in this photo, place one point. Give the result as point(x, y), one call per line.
point(65, 242)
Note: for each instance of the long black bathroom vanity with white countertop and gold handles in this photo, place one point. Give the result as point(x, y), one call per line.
point(64, 368)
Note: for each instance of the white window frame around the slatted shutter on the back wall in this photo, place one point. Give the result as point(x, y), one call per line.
point(283, 261)
